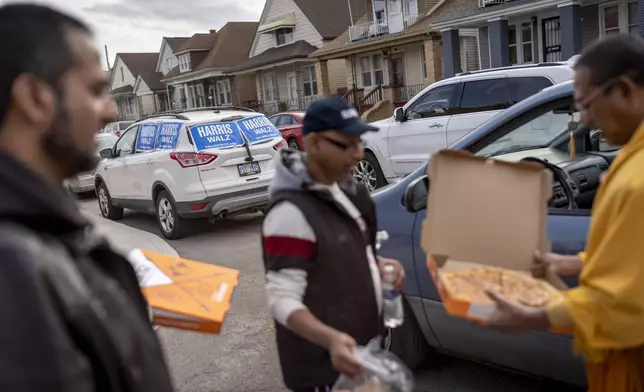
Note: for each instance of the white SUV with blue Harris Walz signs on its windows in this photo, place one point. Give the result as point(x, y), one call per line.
point(203, 163)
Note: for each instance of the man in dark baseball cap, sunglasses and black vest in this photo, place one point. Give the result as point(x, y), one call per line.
point(319, 235)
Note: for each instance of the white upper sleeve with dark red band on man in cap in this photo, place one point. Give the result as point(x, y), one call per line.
point(289, 240)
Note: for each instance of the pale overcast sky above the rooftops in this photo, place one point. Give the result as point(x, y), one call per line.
point(139, 25)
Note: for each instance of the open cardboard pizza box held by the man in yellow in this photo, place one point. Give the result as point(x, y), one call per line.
point(484, 212)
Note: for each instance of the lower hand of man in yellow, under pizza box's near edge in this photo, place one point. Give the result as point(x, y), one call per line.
point(510, 316)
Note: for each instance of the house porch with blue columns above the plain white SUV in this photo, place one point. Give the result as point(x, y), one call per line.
point(531, 31)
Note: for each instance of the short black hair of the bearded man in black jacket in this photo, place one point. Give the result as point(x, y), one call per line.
point(33, 39)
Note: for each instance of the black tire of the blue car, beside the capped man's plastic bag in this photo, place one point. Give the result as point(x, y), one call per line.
point(408, 341)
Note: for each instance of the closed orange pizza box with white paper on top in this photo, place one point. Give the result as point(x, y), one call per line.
point(184, 294)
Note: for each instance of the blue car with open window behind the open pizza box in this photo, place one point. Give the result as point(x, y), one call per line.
point(539, 129)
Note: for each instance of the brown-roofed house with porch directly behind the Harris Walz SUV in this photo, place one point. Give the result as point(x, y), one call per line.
point(200, 79)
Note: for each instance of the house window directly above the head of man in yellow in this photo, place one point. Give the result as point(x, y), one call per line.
point(620, 16)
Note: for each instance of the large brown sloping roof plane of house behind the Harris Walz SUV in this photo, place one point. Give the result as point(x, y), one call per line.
point(231, 46)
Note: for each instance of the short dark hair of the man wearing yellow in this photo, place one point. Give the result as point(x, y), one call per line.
point(614, 56)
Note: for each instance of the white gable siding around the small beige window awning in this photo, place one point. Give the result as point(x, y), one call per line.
point(304, 30)
